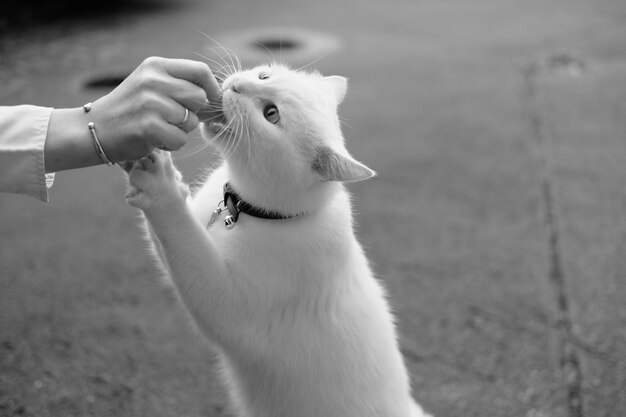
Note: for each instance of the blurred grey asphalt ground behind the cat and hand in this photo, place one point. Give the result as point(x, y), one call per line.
point(496, 222)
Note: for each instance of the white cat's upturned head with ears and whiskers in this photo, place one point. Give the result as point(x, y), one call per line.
point(282, 127)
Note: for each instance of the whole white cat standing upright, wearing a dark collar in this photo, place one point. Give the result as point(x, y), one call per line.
point(284, 291)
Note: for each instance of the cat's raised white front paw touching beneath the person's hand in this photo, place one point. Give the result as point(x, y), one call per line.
point(154, 181)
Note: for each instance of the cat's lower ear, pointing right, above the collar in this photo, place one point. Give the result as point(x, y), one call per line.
point(333, 166)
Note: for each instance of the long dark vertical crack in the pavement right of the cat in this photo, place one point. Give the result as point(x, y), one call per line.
point(569, 360)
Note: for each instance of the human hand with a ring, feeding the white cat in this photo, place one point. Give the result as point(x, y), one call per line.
point(147, 109)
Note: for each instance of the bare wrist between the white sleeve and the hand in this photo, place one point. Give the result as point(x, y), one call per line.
point(68, 141)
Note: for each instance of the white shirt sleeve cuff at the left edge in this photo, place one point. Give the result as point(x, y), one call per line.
point(23, 131)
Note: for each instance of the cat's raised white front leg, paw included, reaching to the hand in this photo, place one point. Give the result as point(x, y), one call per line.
point(194, 261)
